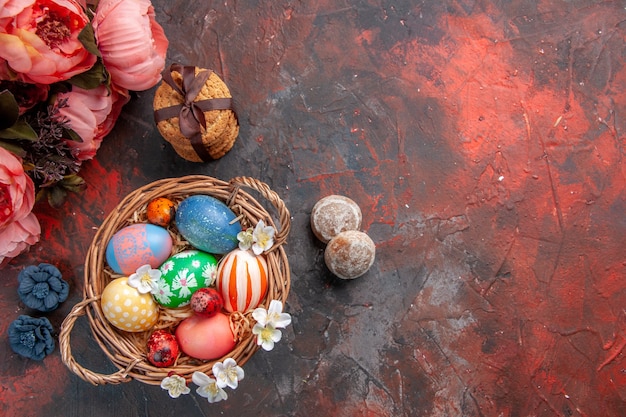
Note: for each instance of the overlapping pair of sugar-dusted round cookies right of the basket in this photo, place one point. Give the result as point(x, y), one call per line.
point(335, 220)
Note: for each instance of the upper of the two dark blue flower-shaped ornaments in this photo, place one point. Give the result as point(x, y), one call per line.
point(42, 287)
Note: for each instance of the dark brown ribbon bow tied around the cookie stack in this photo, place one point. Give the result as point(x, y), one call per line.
point(191, 113)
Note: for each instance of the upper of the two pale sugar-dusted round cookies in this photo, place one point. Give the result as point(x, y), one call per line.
point(334, 214)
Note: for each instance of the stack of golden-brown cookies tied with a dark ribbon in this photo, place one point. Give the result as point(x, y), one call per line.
point(222, 127)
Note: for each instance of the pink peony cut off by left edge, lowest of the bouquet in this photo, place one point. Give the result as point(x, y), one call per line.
point(19, 228)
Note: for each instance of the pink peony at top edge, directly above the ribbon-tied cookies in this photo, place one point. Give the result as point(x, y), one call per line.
point(132, 43)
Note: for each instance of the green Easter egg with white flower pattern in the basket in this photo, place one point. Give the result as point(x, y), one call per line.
point(182, 274)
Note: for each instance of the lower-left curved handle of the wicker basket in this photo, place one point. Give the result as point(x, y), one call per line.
point(66, 351)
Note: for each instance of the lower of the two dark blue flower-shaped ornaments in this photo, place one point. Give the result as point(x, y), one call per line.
point(31, 337)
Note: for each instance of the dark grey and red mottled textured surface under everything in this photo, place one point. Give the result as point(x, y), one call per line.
point(484, 143)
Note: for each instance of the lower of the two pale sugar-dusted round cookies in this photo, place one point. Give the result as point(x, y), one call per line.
point(350, 254)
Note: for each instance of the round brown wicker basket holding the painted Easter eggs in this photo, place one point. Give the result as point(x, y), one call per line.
point(127, 351)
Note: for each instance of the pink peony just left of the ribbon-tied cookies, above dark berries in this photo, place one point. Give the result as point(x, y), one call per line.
point(92, 114)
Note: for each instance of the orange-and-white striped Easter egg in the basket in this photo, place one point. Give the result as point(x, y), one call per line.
point(242, 280)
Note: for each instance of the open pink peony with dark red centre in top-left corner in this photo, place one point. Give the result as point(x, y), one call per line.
point(40, 40)
